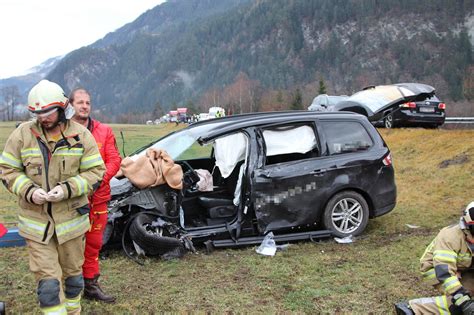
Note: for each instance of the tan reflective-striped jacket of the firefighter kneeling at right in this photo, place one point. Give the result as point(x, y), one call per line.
point(447, 256)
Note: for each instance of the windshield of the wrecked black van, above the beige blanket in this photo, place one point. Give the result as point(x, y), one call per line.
point(175, 143)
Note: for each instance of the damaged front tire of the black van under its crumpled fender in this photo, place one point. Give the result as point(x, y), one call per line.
point(149, 239)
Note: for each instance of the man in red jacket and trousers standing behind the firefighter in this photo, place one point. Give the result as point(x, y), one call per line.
point(80, 100)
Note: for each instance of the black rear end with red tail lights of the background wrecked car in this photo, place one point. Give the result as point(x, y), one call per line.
point(429, 112)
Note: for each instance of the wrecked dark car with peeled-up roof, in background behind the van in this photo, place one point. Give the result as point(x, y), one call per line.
point(381, 103)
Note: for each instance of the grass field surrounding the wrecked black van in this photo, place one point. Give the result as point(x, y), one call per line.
point(367, 276)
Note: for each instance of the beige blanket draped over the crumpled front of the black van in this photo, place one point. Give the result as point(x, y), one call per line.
point(153, 169)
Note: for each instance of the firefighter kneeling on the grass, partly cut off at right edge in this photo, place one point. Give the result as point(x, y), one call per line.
point(446, 264)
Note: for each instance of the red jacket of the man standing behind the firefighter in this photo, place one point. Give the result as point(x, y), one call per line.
point(105, 140)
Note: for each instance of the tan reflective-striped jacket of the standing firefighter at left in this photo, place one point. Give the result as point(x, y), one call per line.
point(29, 162)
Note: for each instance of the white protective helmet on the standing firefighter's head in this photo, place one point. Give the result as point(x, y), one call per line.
point(46, 95)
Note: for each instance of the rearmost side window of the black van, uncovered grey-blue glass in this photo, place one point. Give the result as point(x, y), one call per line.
point(345, 137)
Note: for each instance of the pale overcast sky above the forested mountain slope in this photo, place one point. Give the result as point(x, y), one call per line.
point(31, 31)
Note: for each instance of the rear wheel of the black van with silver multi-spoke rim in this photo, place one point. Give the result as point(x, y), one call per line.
point(340, 219)
